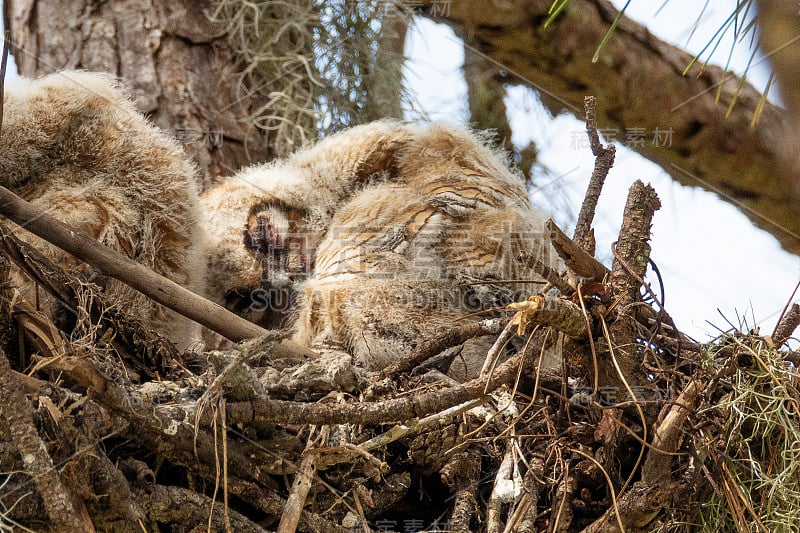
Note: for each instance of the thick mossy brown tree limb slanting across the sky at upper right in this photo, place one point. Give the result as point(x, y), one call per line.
point(639, 85)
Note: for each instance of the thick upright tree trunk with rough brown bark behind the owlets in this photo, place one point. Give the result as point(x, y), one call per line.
point(178, 65)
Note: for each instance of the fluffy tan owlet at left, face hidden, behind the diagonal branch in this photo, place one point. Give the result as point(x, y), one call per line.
point(74, 144)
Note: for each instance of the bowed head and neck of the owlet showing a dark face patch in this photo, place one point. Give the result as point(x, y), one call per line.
point(294, 200)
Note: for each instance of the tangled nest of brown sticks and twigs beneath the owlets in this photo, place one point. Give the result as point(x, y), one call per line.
point(698, 438)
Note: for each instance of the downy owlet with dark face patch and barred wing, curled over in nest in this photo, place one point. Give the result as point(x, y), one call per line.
point(390, 232)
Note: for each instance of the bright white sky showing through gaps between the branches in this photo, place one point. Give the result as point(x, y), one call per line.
point(709, 254)
